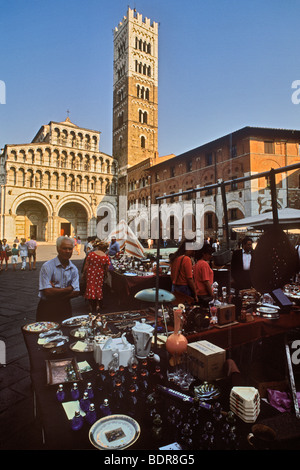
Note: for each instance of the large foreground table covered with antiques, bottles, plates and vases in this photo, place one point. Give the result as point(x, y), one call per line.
point(134, 394)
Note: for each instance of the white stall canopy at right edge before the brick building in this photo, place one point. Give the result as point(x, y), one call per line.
point(287, 219)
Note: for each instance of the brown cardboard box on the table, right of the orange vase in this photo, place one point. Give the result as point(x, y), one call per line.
point(206, 360)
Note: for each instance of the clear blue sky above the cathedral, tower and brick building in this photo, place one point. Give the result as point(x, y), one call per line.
point(223, 65)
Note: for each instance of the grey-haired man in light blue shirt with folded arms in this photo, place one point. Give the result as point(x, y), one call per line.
point(58, 284)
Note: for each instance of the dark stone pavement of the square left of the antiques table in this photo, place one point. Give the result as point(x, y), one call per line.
point(19, 298)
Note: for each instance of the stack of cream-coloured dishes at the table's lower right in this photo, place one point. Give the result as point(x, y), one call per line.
point(245, 403)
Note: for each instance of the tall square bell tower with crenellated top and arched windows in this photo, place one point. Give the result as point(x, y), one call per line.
point(135, 100)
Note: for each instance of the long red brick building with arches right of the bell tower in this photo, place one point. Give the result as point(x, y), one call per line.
point(246, 151)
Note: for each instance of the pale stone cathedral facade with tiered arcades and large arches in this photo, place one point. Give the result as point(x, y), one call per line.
point(56, 184)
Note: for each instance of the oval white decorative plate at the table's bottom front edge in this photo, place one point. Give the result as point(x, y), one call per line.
point(114, 432)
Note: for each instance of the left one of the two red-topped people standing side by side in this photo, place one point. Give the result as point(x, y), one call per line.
point(182, 270)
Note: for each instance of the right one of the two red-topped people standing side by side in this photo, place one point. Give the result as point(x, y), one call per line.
point(203, 274)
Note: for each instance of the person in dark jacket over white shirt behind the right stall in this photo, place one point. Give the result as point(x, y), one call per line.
point(240, 265)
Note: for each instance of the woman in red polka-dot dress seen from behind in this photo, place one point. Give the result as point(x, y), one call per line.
point(94, 270)
